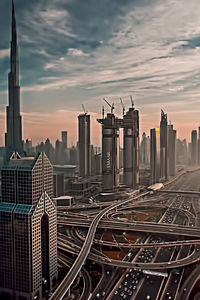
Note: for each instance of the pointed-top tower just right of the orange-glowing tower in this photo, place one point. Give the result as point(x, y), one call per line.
point(164, 161)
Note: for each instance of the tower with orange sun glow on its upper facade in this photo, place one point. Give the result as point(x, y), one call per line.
point(154, 155)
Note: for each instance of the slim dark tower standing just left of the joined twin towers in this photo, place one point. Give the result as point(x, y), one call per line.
point(84, 144)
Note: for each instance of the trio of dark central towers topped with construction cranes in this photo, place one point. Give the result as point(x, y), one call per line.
point(111, 149)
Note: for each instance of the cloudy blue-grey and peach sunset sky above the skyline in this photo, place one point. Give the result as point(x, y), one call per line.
point(75, 51)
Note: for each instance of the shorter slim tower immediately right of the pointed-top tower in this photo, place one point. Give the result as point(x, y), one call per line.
point(172, 150)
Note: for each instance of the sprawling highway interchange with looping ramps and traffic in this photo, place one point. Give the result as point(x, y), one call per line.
point(154, 266)
